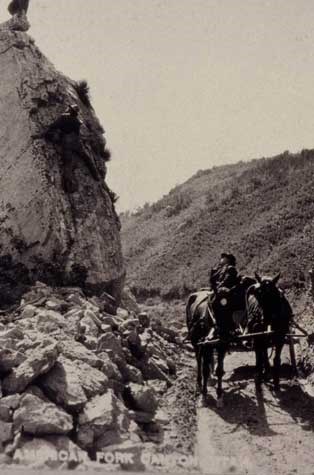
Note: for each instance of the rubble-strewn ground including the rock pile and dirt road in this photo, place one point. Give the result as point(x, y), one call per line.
point(83, 387)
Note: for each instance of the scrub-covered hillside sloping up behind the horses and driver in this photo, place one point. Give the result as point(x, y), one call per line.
point(262, 211)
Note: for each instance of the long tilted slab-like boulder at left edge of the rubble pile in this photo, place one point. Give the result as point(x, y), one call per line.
point(38, 362)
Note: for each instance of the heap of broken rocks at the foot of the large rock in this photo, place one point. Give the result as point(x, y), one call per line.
point(78, 379)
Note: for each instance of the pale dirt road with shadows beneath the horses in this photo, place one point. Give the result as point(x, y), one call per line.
point(255, 433)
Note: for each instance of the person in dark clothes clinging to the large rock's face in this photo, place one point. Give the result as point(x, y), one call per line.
point(69, 125)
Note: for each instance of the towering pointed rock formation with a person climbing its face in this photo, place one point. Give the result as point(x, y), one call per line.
point(52, 234)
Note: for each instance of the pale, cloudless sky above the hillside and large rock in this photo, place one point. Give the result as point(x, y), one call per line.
point(183, 85)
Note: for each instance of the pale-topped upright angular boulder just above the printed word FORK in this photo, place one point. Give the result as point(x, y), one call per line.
point(98, 417)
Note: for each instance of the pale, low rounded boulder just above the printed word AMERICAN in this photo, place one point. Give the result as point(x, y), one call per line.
point(36, 417)
